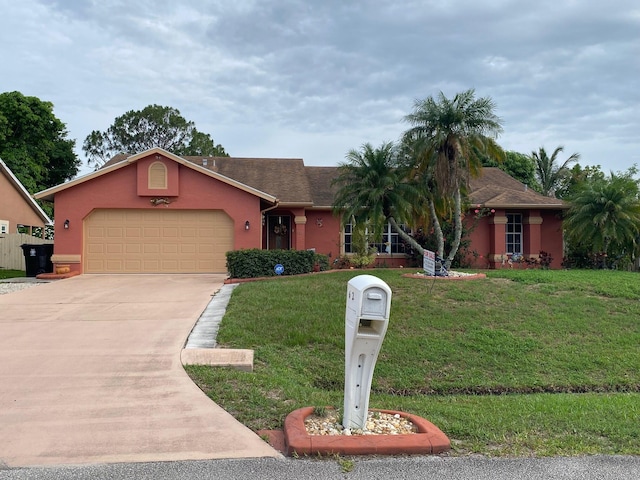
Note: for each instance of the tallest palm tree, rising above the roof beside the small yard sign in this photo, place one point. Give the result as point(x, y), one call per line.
point(449, 138)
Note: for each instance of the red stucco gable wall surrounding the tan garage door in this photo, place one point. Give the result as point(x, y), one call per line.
point(118, 189)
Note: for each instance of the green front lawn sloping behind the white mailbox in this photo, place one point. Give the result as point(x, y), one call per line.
point(526, 362)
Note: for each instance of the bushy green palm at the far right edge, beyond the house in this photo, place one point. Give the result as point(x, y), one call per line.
point(605, 216)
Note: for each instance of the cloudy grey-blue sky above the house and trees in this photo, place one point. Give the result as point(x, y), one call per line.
point(313, 79)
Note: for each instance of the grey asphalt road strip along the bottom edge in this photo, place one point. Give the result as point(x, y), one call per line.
point(409, 468)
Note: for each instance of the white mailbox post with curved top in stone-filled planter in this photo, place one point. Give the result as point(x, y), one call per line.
point(366, 321)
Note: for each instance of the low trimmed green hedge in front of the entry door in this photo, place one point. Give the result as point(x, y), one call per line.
point(261, 263)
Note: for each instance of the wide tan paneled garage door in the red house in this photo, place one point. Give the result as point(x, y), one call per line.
point(157, 241)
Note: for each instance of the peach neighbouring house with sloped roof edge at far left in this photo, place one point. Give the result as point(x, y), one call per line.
point(19, 213)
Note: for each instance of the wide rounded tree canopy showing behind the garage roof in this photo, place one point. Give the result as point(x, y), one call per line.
point(153, 126)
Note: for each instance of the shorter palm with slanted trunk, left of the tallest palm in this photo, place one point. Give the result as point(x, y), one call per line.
point(374, 189)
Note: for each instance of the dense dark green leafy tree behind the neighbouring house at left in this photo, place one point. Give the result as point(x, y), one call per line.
point(34, 143)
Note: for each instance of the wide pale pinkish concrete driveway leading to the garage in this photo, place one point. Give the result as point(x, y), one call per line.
point(90, 372)
